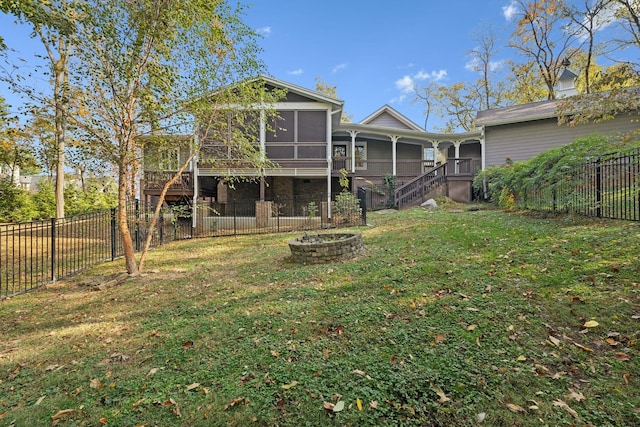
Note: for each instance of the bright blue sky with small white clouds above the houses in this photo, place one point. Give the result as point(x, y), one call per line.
point(374, 53)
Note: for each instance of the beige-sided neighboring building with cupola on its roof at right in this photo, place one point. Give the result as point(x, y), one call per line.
point(521, 132)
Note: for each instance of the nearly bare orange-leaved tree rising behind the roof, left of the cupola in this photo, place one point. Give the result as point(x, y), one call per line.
point(542, 36)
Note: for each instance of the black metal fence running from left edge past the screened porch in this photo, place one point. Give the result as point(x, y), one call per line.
point(35, 253)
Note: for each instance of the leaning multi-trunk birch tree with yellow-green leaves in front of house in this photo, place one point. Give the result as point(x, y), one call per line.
point(154, 66)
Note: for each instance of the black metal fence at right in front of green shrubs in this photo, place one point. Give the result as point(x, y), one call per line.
point(608, 187)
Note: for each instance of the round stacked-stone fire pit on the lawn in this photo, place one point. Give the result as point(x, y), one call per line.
point(325, 248)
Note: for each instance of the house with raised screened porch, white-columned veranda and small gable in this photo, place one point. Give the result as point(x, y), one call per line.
point(311, 146)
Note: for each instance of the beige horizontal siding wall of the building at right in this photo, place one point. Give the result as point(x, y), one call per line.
point(522, 141)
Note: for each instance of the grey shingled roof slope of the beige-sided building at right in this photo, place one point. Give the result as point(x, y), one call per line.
point(517, 113)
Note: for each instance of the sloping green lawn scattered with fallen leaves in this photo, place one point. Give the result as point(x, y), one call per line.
point(450, 318)
